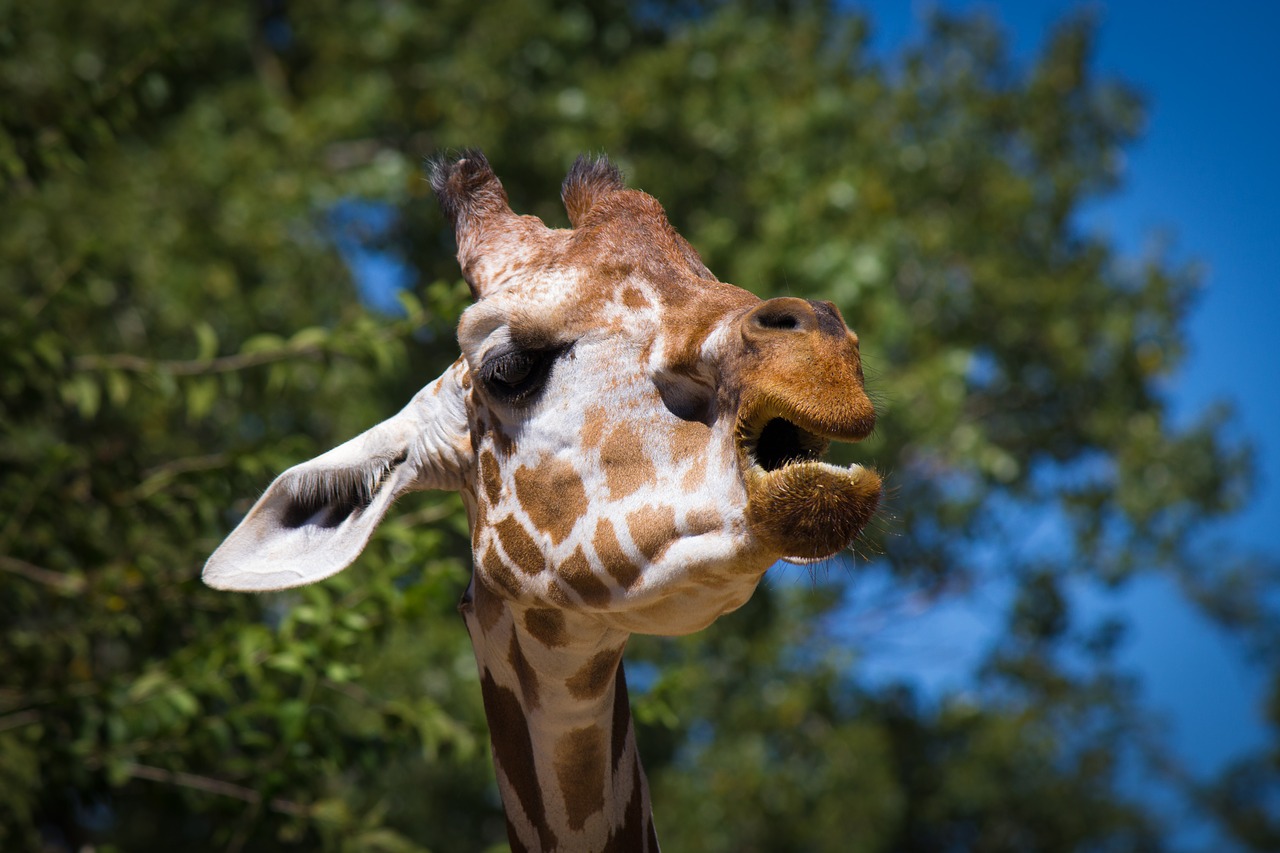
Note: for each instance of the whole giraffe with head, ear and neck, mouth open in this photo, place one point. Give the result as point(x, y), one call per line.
point(636, 444)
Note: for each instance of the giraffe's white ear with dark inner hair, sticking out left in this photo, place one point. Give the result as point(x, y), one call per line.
point(317, 518)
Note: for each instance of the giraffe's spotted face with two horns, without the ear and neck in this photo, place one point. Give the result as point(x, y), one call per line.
point(646, 439)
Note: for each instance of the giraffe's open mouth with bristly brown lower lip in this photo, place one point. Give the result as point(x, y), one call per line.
point(799, 507)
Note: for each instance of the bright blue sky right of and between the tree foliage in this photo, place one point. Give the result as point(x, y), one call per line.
point(1205, 175)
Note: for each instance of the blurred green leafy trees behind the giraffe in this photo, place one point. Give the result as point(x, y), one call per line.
point(195, 197)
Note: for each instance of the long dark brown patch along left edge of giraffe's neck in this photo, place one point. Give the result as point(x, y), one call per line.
point(514, 755)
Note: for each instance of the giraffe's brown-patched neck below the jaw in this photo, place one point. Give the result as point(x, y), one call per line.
point(560, 720)
